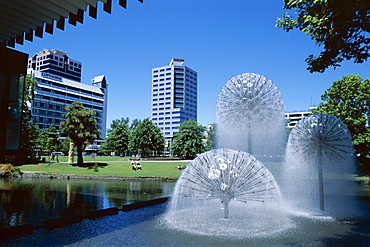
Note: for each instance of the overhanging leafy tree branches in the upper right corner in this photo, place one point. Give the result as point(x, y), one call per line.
point(340, 26)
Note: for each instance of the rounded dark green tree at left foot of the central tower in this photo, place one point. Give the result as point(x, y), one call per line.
point(146, 137)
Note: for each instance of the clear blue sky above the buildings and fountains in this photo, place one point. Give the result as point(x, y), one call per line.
point(218, 39)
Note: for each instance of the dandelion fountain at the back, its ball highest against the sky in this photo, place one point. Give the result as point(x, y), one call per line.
point(250, 110)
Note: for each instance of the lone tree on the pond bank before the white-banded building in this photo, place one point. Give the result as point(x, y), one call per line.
point(81, 127)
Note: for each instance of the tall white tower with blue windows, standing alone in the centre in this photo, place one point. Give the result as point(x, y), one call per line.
point(174, 97)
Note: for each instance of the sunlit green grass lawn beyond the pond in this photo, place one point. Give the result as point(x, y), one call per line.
point(116, 166)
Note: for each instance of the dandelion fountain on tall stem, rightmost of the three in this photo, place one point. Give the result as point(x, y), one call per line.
point(316, 141)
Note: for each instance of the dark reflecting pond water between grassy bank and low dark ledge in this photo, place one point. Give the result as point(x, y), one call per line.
point(24, 201)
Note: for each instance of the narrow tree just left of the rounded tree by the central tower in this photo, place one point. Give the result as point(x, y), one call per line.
point(118, 136)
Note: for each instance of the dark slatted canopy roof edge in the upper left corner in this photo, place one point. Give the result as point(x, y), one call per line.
point(20, 19)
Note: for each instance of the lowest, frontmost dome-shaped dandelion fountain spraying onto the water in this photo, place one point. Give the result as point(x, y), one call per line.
point(227, 193)
